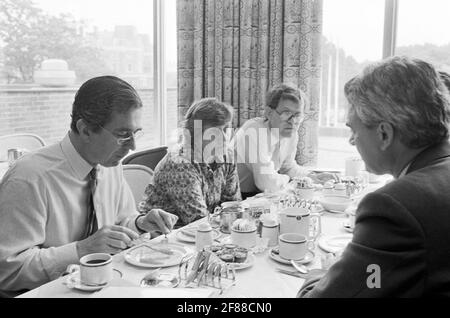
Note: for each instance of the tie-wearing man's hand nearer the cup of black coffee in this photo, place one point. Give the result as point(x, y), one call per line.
point(109, 239)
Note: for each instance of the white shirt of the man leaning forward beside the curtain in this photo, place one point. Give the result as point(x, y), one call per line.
point(266, 162)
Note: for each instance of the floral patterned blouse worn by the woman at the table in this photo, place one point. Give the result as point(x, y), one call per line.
point(189, 189)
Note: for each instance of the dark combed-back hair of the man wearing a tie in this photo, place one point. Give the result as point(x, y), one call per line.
point(99, 97)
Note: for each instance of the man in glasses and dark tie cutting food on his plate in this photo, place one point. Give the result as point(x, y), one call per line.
point(71, 199)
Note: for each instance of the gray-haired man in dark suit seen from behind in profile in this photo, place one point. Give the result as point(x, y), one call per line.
point(399, 115)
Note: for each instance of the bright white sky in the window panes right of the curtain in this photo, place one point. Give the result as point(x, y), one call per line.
point(357, 25)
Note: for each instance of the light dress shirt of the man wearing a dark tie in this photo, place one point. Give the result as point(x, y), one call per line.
point(43, 212)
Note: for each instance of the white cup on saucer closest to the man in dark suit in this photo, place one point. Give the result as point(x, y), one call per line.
point(294, 246)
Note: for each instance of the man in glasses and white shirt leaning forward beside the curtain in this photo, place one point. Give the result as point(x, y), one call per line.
point(266, 147)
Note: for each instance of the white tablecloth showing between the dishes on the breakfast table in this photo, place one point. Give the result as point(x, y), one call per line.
point(258, 281)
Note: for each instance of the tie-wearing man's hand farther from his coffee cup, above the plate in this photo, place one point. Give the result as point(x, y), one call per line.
point(157, 220)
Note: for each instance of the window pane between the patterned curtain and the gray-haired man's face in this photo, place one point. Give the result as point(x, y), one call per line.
point(352, 38)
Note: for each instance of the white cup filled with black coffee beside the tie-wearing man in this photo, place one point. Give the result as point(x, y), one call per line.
point(95, 269)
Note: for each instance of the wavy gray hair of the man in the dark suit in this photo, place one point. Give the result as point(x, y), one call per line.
point(407, 93)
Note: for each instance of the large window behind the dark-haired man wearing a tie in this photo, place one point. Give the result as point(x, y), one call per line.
point(45, 56)
